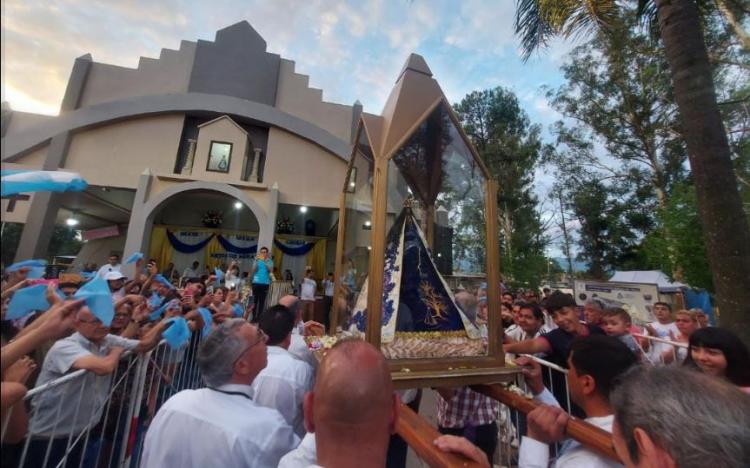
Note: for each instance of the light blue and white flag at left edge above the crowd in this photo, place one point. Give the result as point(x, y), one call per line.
point(23, 181)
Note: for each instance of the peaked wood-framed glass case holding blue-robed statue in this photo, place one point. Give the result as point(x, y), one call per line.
point(414, 264)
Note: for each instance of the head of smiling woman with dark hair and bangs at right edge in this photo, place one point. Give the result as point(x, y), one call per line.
point(719, 352)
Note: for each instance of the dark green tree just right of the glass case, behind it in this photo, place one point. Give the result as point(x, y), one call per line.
point(511, 148)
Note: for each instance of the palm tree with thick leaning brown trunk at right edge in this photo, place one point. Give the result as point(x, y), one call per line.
point(725, 226)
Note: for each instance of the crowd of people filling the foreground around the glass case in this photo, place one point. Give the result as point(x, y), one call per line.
point(266, 400)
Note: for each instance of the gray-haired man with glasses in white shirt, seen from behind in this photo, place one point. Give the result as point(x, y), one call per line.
point(221, 425)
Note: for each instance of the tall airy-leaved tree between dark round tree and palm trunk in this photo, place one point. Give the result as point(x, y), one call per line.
point(617, 94)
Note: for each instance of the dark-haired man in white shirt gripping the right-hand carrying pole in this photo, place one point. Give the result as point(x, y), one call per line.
point(594, 364)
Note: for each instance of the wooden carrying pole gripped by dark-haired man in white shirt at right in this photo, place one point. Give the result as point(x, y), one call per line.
point(591, 436)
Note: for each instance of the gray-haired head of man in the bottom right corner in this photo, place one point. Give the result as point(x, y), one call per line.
point(675, 417)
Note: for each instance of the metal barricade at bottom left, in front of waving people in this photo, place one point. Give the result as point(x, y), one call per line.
point(82, 420)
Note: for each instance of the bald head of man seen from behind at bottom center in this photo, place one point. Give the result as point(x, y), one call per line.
point(353, 408)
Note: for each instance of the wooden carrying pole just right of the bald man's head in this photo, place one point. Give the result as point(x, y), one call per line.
point(420, 436)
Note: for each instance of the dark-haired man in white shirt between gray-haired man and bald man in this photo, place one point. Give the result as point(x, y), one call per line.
point(285, 380)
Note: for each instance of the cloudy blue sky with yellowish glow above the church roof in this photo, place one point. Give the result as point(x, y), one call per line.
point(350, 49)
